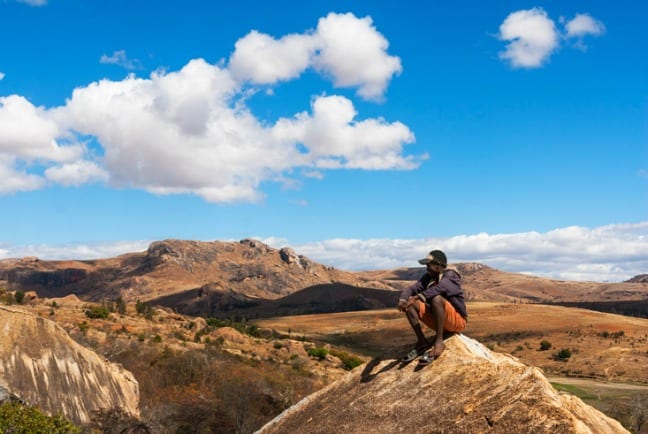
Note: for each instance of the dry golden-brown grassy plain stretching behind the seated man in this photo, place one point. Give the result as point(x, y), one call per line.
point(603, 346)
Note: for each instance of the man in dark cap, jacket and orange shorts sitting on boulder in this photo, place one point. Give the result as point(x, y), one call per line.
point(437, 300)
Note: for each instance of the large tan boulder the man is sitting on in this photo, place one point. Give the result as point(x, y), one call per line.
point(468, 389)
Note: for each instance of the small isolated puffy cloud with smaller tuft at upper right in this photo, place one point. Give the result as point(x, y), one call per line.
point(533, 37)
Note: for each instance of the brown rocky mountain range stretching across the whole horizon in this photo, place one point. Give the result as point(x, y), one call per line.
point(250, 279)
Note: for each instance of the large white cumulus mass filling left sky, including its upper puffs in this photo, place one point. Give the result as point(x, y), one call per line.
point(191, 131)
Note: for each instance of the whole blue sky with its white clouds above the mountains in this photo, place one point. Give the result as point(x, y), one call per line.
point(362, 134)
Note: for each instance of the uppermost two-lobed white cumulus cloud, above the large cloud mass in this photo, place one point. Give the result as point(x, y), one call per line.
point(364, 64)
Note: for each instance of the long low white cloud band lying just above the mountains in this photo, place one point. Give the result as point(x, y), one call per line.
point(607, 253)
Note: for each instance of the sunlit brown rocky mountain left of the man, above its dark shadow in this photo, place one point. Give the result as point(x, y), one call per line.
point(168, 267)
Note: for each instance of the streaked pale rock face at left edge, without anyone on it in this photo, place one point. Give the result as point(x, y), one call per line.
point(43, 366)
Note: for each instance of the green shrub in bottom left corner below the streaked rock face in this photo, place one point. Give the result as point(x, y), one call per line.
point(18, 418)
